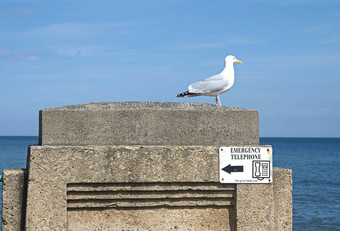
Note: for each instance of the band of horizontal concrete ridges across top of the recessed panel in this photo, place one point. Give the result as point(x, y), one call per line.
point(149, 195)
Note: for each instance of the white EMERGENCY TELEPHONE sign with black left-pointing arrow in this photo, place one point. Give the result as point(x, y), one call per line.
point(246, 165)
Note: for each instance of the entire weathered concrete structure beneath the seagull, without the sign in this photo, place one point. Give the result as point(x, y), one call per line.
point(145, 166)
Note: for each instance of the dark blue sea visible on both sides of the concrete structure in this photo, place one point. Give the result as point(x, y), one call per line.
point(316, 175)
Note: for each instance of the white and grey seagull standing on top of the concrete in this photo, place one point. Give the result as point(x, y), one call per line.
point(216, 84)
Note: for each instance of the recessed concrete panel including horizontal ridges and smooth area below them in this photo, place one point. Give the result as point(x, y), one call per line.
point(151, 206)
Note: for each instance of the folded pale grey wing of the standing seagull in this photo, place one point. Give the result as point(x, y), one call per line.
point(209, 86)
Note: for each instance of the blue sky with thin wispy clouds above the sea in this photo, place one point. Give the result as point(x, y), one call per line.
point(58, 53)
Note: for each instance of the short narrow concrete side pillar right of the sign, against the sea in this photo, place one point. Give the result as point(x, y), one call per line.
point(283, 199)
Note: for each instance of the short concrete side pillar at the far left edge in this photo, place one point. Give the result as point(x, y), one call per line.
point(13, 199)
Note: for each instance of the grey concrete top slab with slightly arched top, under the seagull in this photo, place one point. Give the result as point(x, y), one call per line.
point(148, 123)
